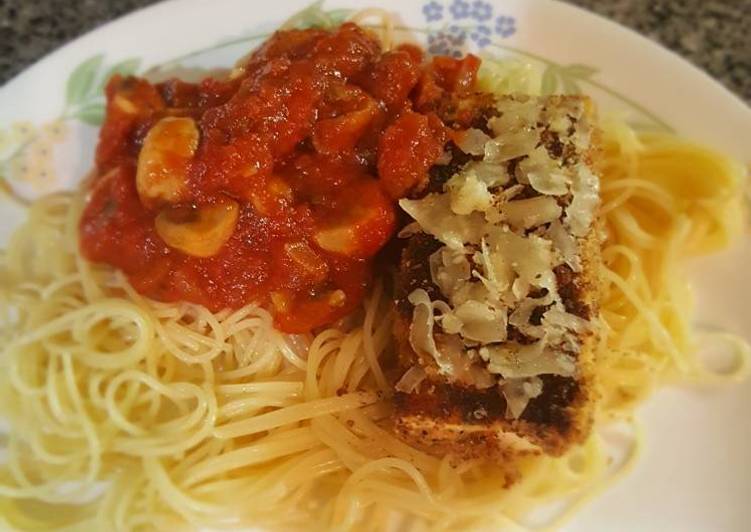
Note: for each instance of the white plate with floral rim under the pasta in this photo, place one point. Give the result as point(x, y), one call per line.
point(696, 472)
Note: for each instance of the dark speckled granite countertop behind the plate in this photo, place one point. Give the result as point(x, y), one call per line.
point(712, 34)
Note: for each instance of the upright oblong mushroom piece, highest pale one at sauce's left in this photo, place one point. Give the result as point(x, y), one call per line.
point(162, 171)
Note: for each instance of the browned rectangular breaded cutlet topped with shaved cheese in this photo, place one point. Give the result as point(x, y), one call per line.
point(497, 288)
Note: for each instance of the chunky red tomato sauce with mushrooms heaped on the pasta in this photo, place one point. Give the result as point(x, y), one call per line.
point(276, 185)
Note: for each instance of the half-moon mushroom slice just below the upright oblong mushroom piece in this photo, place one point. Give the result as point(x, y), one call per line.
point(202, 231)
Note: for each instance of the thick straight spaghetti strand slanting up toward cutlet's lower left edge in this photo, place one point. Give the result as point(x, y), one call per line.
point(293, 414)
